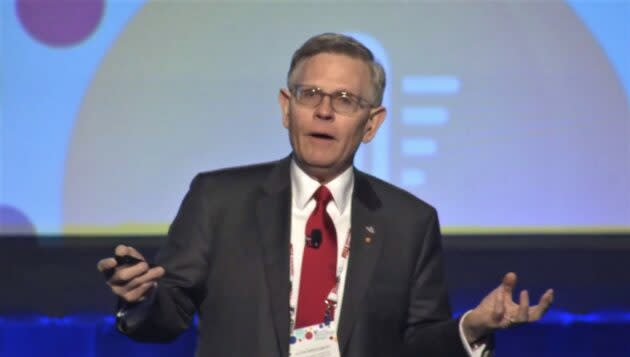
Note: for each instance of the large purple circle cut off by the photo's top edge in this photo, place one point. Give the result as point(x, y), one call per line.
point(60, 22)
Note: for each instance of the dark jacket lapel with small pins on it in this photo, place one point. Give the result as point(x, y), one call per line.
point(365, 247)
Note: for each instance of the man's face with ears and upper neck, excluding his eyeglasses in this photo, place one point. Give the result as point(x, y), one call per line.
point(324, 142)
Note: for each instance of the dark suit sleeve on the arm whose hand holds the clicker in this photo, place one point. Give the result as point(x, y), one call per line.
point(170, 308)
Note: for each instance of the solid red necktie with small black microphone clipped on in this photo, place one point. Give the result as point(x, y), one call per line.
point(319, 264)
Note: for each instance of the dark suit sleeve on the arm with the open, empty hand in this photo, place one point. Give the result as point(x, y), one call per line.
point(430, 329)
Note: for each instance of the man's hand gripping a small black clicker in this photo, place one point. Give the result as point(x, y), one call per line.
point(130, 283)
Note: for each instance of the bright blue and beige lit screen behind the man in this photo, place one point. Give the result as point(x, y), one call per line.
point(508, 116)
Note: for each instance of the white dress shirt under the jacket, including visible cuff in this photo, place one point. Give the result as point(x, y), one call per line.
point(302, 205)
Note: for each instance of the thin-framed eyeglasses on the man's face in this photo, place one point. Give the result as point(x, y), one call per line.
point(342, 102)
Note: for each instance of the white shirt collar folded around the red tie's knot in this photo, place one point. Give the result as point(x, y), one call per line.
point(303, 187)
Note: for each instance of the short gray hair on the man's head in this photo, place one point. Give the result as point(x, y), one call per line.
point(341, 44)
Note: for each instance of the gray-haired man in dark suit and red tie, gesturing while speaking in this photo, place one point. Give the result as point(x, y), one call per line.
point(309, 256)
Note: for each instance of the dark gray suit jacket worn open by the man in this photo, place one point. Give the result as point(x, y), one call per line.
point(227, 258)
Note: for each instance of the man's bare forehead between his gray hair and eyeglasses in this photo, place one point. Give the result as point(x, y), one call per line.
point(332, 72)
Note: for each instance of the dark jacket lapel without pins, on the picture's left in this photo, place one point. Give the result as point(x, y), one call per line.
point(273, 210)
